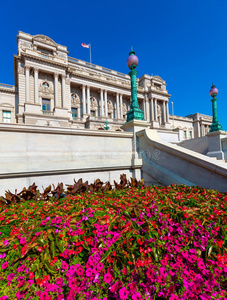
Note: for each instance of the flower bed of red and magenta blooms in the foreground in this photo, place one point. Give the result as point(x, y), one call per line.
point(136, 243)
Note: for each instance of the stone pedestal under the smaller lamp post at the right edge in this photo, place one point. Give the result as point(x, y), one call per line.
point(215, 145)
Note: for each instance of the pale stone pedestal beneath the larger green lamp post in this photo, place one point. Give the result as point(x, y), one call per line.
point(135, 126)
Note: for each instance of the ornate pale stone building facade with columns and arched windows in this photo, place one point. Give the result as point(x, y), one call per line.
point(56, 90)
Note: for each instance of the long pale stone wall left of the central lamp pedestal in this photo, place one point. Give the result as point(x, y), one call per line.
point(50, 155)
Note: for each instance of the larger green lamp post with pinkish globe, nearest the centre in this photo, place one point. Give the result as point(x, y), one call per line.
point(135, 112)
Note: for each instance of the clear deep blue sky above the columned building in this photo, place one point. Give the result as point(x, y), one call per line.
point(184, 42)
